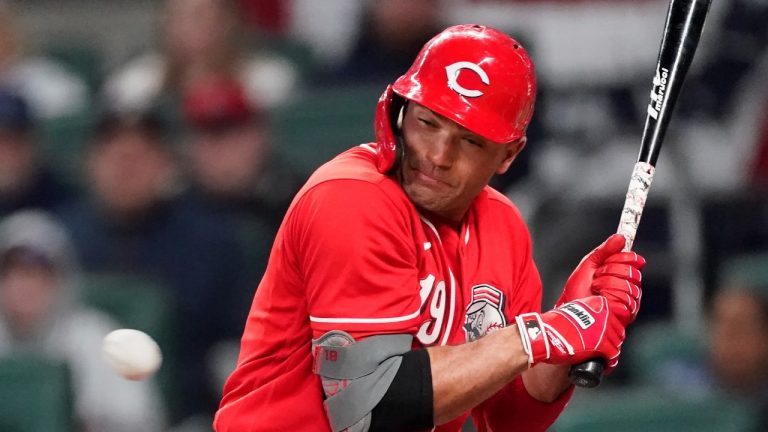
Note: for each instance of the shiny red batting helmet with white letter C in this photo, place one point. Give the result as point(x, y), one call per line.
point(477, 76)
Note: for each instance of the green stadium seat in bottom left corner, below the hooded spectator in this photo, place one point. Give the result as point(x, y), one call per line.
point(35, 395)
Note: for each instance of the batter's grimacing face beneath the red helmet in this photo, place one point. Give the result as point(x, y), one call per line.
point(445, 166)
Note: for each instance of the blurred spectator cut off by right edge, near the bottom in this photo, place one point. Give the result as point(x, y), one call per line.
point(739, 336)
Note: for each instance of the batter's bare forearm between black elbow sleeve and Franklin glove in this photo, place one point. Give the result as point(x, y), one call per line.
point(463, 376)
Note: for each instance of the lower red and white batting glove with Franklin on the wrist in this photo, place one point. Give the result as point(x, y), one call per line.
point(573, 333)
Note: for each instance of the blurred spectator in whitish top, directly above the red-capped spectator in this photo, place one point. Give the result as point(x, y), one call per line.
point(200, 39)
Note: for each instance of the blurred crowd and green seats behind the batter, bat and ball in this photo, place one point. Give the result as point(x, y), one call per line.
point(149, 148)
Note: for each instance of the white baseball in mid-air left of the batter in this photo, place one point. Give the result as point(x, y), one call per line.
point(131, 353)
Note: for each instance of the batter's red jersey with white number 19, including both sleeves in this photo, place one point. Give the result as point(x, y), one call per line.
point(354, 254)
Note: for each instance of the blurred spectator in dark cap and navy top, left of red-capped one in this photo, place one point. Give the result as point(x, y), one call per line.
point(135, 221)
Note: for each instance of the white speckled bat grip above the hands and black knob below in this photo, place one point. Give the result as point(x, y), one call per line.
point(590, 373)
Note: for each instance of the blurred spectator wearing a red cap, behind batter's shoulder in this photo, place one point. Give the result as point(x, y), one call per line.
point(234, 166)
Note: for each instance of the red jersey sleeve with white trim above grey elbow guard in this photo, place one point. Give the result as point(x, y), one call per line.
point(356, 255)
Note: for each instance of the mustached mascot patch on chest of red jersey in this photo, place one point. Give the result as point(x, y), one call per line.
point(485, 313)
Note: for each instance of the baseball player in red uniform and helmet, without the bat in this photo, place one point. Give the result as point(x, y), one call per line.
point(401, 293)
